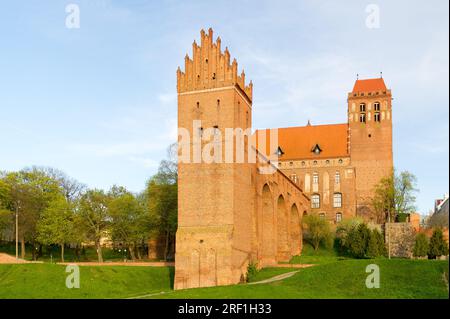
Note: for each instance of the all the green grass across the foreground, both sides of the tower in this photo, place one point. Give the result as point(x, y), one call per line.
point(331, 277)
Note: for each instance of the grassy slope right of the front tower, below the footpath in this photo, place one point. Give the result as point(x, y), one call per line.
point(342, 279)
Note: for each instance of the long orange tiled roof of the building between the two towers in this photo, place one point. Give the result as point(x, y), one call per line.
point(298, 142)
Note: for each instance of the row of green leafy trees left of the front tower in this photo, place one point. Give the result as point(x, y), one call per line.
point(54, 209)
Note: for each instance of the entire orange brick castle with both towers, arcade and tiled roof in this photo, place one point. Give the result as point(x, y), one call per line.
point(231, 214)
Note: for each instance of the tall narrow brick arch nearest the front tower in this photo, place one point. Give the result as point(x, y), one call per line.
point(268, 248)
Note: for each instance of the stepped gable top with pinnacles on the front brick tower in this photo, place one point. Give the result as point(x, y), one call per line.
point(209, 68)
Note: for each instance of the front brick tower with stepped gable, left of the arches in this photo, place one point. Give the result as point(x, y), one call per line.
point(214, 210)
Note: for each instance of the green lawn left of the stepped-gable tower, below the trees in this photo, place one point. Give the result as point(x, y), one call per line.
point(48, 281)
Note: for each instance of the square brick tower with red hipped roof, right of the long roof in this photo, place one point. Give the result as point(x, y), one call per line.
point(370, 138)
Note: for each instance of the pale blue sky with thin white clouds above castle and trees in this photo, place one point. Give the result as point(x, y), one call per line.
point(99, 102)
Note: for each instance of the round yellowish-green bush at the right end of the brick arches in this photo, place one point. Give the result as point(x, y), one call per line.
point(316, 231)
